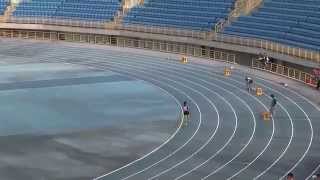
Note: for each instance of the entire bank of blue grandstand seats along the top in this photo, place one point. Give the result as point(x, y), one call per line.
point(283, 21)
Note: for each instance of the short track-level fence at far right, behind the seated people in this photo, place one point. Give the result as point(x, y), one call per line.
point(288, 72)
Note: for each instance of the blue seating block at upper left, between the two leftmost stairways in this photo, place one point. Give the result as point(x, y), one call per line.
point(88, 10)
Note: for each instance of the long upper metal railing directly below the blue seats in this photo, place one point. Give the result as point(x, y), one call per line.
point(279, 48)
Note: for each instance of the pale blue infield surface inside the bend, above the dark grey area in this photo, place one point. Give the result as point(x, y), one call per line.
point(73, 103)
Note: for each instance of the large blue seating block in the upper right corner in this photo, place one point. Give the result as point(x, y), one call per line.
point(293, 22)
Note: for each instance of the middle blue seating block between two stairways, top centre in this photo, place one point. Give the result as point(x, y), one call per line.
point(186, 14)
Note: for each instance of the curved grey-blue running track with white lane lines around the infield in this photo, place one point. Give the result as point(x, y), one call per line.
point(226, 137)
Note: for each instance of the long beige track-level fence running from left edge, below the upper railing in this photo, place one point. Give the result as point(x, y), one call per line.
point(155, 45)
